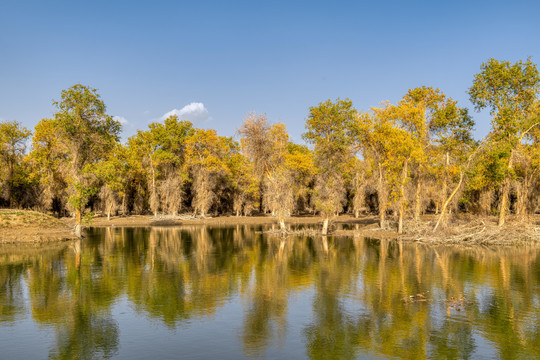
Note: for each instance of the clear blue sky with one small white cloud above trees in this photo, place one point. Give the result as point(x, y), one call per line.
point(215, 61)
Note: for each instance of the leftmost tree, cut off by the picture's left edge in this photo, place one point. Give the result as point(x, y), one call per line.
point(13, 138)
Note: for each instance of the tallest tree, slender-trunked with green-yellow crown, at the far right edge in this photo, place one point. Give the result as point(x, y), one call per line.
point(510, 91)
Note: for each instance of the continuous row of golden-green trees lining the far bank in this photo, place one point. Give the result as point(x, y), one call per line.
point(400, 160)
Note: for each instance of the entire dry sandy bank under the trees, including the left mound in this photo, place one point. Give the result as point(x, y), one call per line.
point(24, 226)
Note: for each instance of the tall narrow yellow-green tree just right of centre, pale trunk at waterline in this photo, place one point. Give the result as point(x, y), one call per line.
point(328, 128)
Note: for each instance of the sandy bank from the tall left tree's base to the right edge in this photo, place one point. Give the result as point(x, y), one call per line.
point(463, 231)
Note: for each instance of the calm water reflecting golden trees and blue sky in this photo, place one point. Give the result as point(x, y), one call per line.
point(226, 293)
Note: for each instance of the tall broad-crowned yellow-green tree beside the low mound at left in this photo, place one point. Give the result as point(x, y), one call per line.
point(80, 135)
